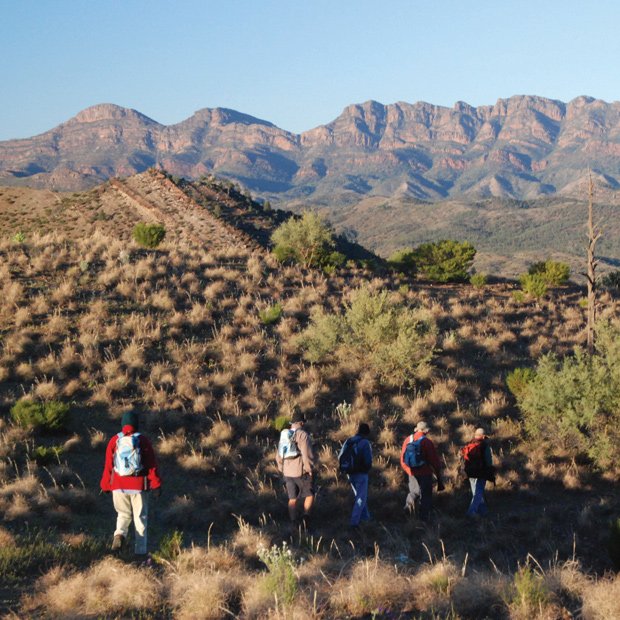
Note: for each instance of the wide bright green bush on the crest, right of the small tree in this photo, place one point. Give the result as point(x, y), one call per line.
point(445, 261)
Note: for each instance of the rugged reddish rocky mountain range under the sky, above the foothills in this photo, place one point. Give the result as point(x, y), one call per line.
point(523, 147)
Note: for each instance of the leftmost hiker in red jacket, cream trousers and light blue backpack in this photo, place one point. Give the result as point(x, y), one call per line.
point(130, 471)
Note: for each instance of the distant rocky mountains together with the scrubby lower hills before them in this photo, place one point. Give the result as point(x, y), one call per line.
point(510, 177)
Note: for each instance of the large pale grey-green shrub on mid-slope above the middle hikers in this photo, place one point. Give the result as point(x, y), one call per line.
point(395, 341)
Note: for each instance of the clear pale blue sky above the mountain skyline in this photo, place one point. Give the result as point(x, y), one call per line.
point(296, 63)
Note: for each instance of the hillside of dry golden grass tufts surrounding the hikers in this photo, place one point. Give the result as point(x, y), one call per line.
point(89, 318)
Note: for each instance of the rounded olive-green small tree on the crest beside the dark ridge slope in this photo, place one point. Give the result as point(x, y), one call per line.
point(308, 240)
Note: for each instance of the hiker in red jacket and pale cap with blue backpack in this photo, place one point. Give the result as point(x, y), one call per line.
point(420, 464)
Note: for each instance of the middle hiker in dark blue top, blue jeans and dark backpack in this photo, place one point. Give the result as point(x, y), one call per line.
point(355, 461)
